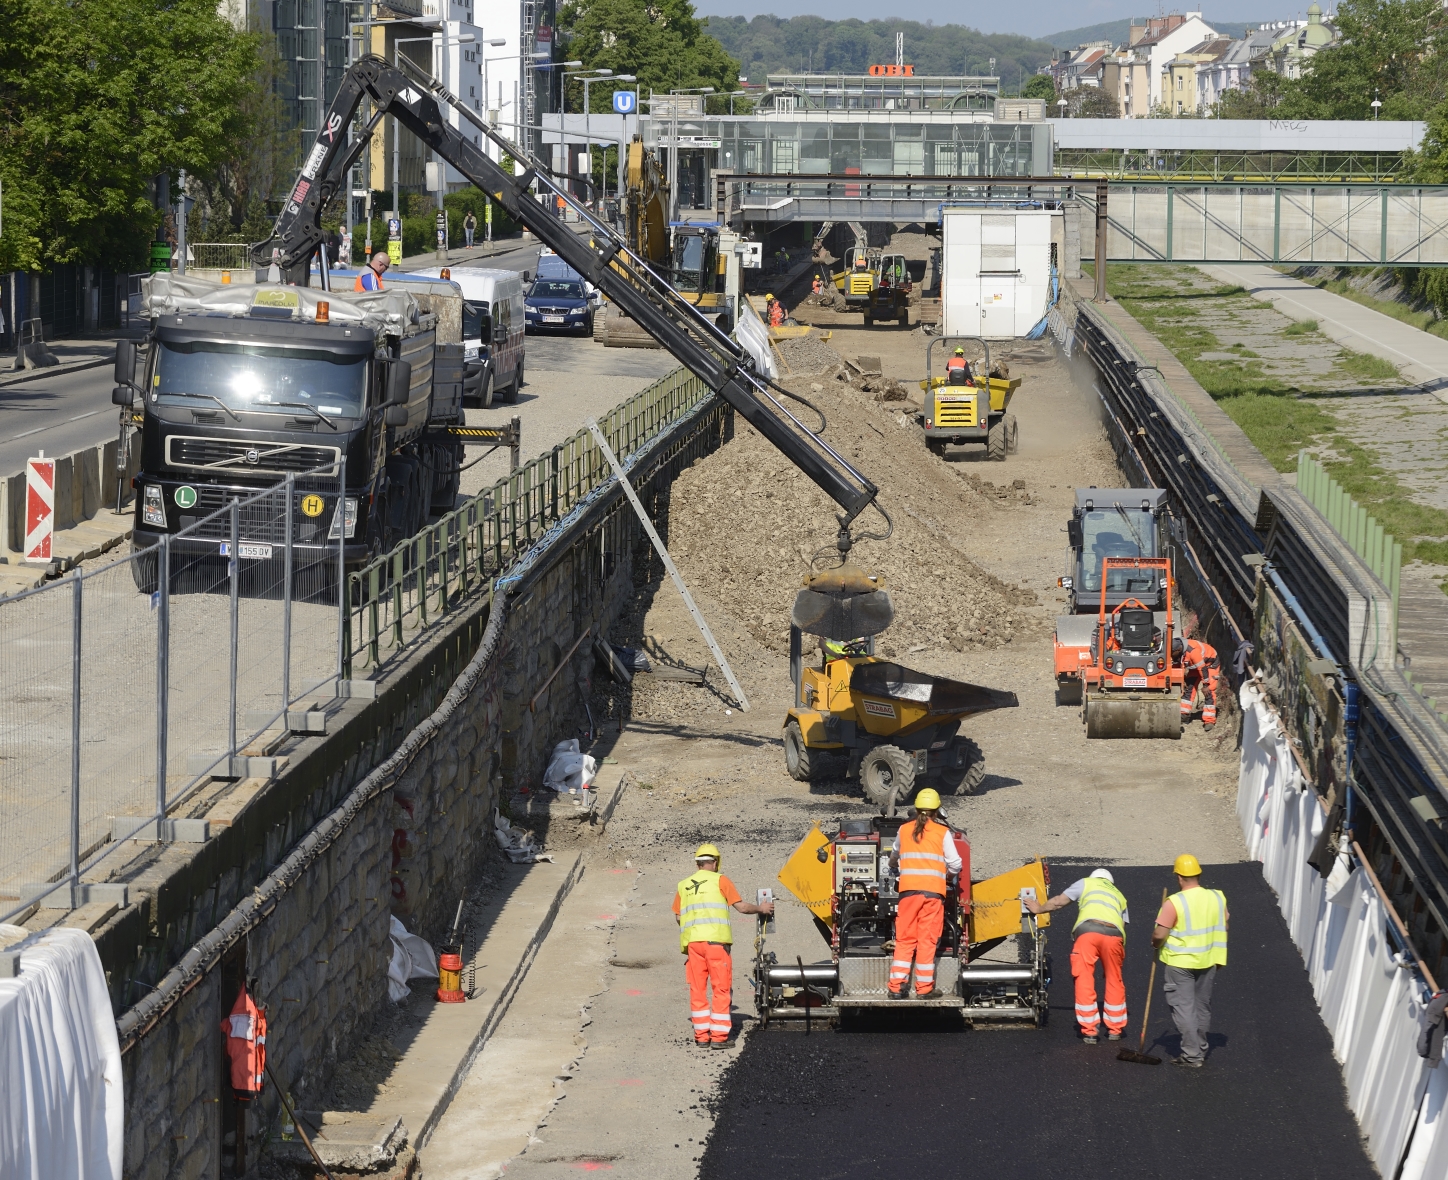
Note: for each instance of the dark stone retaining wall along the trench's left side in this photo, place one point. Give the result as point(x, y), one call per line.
point(319, 958)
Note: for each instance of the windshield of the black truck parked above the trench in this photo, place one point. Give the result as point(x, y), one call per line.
point(257, 377)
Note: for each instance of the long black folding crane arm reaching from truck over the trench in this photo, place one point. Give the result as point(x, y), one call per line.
point(603, 258)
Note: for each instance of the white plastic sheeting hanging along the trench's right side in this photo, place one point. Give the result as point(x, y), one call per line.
point(1373, 1007)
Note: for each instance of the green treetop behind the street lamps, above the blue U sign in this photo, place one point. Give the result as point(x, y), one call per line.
point(662, 43)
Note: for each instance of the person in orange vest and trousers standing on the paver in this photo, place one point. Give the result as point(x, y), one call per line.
point(926, 859)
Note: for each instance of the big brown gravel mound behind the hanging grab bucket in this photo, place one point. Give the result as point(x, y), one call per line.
point(746, 525)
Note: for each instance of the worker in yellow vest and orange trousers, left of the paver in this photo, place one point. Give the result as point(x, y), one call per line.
point(702, 909)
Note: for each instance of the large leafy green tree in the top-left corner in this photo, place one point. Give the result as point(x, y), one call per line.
point(98, 98)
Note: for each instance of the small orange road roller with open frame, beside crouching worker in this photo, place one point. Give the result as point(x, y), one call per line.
point(1132, 686)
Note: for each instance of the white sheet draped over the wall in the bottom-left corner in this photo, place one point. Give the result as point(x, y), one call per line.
point(62, 1105)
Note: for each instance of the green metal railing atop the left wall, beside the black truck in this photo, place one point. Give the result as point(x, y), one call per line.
point(402, 594)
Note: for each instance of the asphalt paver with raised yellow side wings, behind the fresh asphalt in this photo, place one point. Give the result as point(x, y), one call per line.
point(846, 882)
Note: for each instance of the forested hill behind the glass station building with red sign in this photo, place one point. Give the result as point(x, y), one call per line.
point(774, 46)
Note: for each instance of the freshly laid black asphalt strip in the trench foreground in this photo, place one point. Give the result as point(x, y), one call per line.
point(936, 1103)
